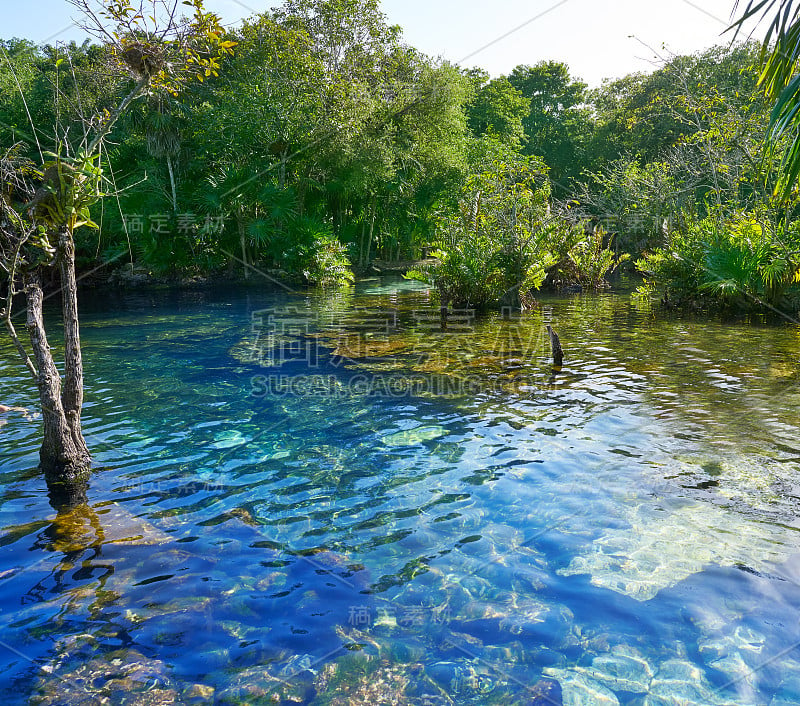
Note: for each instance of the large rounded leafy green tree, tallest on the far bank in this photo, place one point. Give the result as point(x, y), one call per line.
point(337, 143)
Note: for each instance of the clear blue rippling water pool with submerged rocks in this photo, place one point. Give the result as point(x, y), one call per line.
point(323, 498)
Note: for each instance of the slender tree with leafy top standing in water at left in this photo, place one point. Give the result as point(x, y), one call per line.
point(43, 204)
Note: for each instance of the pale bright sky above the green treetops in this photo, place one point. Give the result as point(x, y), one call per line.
point(598, 39)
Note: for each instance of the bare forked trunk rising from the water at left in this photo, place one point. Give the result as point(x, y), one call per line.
point(64, 457)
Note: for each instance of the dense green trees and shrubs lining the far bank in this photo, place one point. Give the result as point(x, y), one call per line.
point(325, 142)
